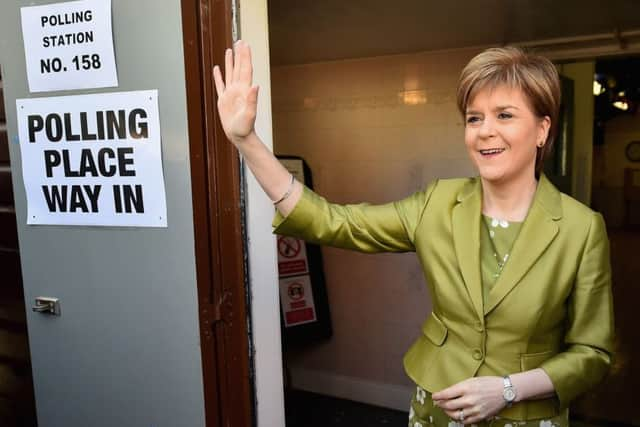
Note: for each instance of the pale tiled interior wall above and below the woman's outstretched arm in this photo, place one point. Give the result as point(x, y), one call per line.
point(371, 130)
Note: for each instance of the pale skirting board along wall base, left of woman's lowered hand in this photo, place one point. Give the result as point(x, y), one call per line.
point(373, 393)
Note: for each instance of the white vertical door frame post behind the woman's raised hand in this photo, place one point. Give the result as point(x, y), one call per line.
point(265, 308)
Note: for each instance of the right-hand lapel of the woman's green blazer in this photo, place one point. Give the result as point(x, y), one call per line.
point(537, 233)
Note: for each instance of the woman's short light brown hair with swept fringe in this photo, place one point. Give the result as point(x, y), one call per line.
point(534, 75)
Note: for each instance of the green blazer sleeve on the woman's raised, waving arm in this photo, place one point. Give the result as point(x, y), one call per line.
point(362, 227)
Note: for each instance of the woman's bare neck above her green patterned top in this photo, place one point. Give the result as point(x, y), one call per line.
point(509, 201)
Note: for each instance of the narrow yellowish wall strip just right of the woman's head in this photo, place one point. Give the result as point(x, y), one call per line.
point(582, 75)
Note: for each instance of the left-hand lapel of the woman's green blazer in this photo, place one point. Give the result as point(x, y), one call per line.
point(466, 239)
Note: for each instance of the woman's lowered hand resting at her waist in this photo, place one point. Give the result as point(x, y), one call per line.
point(479, 398)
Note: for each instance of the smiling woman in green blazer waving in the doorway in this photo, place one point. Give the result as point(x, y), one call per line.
point(518, 272)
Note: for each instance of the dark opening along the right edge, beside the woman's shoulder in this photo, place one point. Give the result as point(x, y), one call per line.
point(616, 193)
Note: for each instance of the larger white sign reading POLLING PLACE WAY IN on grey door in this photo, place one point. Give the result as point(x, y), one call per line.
point(93, 159)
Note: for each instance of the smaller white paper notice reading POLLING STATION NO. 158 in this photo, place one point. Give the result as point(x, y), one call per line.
point(69, 46)
